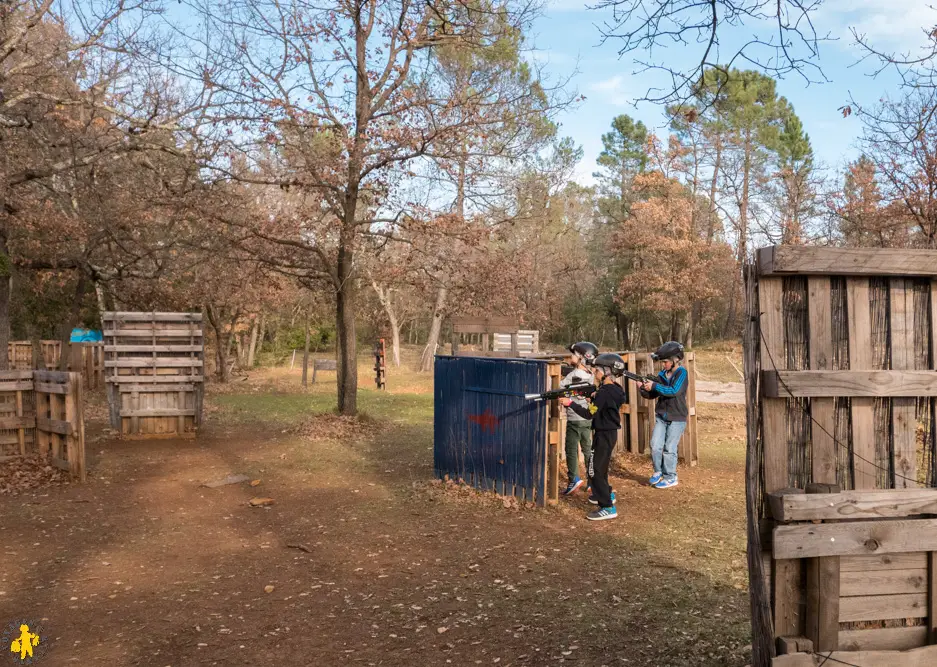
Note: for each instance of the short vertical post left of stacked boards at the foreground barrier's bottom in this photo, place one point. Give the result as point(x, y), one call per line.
point(822, 614)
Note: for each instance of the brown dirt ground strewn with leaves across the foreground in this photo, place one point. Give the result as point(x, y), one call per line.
point(370, 563)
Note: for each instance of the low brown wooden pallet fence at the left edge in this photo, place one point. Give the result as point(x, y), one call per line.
point(41, 412)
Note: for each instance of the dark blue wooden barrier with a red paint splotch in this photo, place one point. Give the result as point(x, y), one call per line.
point(485, 433)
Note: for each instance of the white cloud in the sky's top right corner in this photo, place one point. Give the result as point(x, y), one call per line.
point(888, 24)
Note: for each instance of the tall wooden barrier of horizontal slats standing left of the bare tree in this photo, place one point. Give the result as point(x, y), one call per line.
point(154, 364)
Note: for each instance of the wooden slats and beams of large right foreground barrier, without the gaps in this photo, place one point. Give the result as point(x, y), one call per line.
point(871, 565)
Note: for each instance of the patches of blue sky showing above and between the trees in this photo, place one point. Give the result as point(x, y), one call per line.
point(567, 40)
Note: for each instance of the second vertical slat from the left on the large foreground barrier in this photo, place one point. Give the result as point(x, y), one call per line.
point(820, 319)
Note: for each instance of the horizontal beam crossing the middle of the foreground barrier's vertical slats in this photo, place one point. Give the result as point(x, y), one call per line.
point(812, 383)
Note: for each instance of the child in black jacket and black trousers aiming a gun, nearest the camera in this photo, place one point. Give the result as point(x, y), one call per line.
point(605, 415)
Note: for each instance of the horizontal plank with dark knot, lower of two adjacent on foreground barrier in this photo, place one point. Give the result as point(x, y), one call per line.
point(855, 538)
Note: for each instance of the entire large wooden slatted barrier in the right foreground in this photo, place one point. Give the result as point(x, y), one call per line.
point(840, 360)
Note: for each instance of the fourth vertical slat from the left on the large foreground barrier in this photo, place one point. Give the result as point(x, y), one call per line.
point(904, 421)
